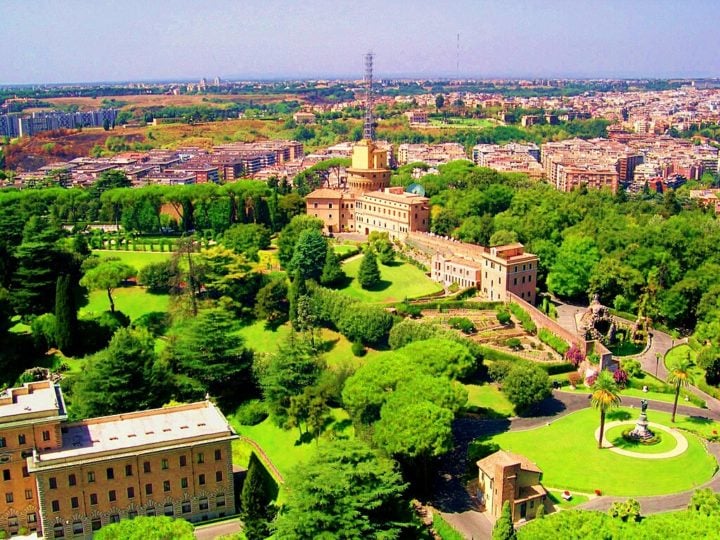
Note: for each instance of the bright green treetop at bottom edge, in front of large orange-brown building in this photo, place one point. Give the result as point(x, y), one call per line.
point(147, 528)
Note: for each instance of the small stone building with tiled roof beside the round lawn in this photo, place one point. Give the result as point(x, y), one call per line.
point(504, 476)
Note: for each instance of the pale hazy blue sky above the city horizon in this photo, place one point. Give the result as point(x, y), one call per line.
point(103, 40)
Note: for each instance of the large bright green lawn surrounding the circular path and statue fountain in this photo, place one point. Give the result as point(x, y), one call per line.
point(567, 453)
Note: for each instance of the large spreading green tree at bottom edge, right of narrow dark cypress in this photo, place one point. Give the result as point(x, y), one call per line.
point(344, 491)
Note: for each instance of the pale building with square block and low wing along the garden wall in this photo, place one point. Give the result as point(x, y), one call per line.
point(494, 271)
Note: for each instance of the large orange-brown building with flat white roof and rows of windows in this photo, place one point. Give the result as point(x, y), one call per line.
point(67, 480)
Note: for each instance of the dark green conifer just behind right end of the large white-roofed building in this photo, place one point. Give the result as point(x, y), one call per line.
point(211, 358)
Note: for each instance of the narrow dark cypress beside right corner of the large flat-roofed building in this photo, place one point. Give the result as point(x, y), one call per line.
point(257, 498)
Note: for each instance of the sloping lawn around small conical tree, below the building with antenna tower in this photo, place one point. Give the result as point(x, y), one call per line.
point(399, 281)
